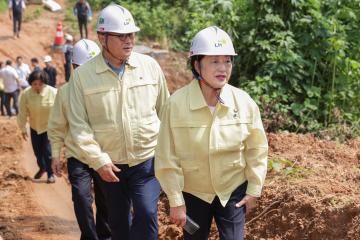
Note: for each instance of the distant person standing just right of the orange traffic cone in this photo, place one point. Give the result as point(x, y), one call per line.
point(83, 12)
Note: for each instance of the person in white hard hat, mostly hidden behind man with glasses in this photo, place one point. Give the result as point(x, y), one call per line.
point(81, 176)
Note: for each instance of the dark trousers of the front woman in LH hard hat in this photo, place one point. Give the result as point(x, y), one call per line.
point(230, 220)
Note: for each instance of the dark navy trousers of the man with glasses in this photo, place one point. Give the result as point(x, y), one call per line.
point(137, 187)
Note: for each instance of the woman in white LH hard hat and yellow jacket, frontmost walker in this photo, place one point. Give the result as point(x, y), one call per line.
point(211, 157)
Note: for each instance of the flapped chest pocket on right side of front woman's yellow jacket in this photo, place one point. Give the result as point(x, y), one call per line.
point(233, 132)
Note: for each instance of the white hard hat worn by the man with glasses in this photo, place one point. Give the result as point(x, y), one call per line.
point(117, 19)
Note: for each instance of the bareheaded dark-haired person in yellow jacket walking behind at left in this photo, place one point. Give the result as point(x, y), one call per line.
point(35, 104)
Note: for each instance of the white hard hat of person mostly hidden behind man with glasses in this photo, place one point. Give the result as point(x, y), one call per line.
point(84, 50)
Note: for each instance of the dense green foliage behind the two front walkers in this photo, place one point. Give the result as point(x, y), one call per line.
point(300, 59)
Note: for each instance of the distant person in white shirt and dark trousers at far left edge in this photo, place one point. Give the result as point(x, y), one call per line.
point(11, 85)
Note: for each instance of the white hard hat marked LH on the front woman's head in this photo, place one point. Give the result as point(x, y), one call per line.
point(212, 41)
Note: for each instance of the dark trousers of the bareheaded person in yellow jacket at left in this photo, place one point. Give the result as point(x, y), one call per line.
point(42, 150)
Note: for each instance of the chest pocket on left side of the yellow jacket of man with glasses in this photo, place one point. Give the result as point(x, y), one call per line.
point(102, 104)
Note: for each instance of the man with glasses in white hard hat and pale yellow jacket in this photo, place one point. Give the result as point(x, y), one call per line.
point(115, 99)
